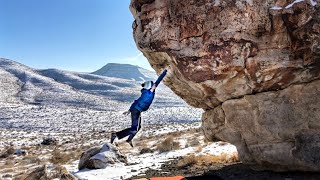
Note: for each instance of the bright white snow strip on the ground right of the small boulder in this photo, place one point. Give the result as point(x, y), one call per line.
point(139, 163)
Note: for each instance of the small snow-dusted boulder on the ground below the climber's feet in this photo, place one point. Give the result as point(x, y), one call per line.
point(100, 157)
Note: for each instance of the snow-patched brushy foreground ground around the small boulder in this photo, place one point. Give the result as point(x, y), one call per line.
point(62, 151)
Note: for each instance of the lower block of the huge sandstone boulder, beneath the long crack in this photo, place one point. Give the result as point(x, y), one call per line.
point(278, 129)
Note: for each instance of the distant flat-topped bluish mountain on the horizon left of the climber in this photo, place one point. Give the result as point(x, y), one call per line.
point(126, 71)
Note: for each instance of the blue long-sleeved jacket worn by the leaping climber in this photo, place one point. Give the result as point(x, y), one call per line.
point(144, 101)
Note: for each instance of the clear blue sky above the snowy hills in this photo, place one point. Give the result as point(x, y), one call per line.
point(77, 35)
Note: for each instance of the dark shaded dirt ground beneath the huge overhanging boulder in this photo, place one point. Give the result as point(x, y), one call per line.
point(218, 171)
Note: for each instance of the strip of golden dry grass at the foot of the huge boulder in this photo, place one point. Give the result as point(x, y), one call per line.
point(205, 160)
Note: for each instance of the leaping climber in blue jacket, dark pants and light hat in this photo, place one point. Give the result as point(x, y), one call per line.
point(140, 105)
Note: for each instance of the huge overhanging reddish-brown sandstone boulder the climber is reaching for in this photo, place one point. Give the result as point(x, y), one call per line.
point(252, 65)
